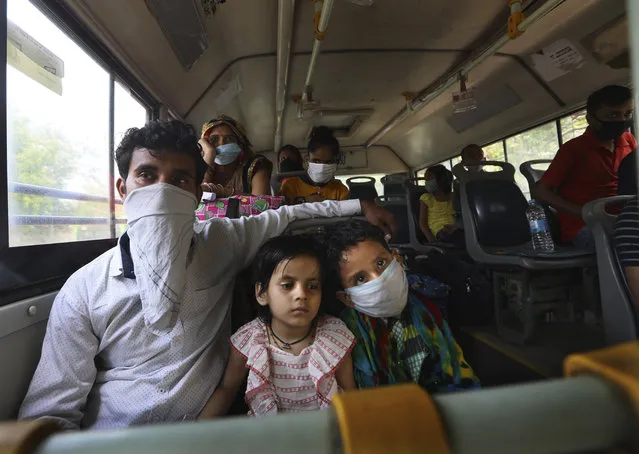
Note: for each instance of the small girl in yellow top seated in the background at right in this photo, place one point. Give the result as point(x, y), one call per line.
point(437, 212)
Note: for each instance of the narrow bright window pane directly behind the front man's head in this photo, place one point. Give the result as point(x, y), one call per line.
point(128, 113)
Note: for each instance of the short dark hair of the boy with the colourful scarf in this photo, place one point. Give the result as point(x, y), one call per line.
point(341, 237)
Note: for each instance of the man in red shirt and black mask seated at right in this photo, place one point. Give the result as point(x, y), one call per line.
point(585, 168)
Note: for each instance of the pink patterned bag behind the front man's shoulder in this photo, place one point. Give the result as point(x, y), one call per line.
point(236, 206)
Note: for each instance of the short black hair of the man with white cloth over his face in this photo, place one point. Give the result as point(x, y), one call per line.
point(160, 137)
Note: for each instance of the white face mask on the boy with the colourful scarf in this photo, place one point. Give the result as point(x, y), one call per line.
point(384, 297)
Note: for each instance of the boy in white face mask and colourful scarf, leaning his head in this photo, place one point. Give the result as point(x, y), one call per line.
point(401, 335)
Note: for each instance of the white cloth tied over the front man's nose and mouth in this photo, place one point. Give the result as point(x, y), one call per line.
point(160, 220)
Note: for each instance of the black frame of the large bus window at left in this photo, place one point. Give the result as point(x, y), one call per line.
point(26, 271)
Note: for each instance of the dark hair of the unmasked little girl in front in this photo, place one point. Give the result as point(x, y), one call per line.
point(278, 250)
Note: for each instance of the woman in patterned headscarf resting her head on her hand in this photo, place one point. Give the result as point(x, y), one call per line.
point(233, 167)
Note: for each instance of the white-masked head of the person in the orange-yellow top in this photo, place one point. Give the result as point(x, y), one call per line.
point(323, 155)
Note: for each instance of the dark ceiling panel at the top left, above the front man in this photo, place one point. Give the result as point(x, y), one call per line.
point(183, 28)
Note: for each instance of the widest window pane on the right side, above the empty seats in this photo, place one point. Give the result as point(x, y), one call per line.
point(538, 143)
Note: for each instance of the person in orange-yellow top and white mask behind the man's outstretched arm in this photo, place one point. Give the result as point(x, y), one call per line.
point(320, 183)
